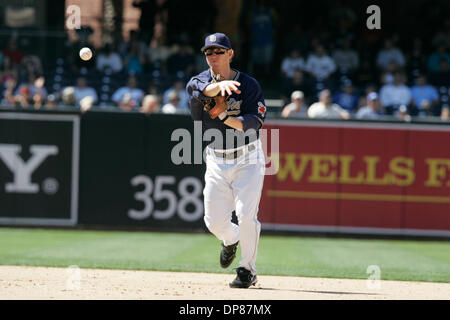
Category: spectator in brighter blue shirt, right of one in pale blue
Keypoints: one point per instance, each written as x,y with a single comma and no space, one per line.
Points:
425,97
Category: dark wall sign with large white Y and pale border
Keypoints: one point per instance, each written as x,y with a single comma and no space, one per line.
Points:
39,169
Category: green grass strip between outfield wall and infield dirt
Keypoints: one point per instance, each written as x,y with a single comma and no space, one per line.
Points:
293,256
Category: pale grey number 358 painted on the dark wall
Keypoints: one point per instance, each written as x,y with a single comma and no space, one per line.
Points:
189,191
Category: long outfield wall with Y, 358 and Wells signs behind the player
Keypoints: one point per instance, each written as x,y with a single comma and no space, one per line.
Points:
114,169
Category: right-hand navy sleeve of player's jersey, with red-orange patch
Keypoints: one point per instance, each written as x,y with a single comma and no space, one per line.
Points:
254,106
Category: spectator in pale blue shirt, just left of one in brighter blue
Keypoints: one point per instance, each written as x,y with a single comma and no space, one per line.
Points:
394,95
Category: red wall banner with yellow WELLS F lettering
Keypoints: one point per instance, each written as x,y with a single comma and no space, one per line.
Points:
359,177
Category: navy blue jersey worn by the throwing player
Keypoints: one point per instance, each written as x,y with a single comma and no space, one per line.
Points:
248,106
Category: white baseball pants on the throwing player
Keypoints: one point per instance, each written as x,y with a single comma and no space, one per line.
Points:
235,184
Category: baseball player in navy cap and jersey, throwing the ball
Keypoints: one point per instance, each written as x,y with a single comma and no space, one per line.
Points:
232,103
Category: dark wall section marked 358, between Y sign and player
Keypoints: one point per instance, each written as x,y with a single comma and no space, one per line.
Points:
128,177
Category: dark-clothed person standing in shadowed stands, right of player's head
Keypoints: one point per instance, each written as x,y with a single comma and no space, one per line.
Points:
262,23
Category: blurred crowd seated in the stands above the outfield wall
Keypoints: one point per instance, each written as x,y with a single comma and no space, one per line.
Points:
318,77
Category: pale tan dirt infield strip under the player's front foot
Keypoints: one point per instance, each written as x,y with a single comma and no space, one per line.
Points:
61,283
